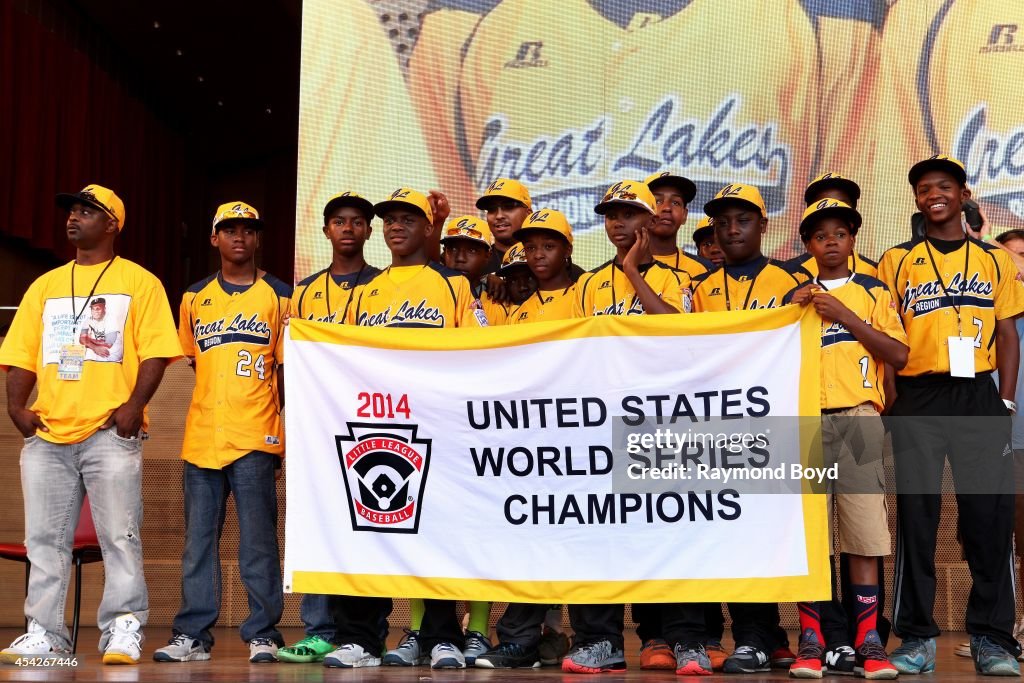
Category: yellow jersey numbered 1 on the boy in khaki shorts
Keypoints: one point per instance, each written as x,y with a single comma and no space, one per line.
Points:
850,375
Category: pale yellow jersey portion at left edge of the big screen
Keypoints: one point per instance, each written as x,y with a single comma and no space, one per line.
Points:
333,107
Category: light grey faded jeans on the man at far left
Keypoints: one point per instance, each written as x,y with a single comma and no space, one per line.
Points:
55,478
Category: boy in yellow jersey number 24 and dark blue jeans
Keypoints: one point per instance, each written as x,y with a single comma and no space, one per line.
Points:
231,328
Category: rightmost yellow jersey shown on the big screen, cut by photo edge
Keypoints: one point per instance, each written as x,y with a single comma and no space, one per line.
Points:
946,87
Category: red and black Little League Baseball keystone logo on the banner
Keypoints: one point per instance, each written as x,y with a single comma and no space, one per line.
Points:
386,471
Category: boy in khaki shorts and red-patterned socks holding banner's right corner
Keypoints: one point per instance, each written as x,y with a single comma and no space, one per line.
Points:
861,331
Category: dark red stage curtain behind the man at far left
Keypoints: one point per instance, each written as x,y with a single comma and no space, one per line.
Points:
65,123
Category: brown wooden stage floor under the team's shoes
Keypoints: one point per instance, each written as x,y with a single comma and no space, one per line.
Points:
231,663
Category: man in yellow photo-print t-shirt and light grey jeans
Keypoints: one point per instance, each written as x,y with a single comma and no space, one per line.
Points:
84,434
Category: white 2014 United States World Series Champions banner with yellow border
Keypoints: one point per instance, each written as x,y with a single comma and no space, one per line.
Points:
602,460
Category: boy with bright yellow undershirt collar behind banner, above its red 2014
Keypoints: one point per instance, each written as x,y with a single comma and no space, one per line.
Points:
413,292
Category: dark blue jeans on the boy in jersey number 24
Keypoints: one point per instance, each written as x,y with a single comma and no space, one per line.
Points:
250,480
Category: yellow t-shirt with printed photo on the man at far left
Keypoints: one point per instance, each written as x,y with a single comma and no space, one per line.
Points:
135,325
